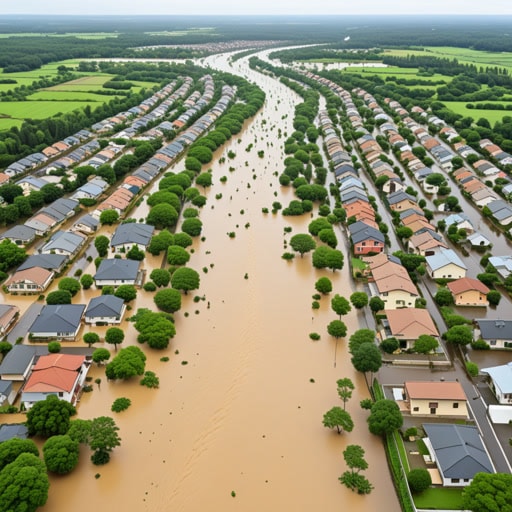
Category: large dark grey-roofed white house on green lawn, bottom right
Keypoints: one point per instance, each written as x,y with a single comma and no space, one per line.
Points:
458,451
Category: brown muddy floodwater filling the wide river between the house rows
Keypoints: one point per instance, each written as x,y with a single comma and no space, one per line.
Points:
237,421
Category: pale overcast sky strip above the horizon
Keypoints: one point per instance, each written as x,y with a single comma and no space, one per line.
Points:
321,7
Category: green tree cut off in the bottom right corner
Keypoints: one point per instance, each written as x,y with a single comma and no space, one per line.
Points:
488,492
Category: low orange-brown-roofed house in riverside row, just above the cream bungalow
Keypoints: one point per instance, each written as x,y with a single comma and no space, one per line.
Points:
408,324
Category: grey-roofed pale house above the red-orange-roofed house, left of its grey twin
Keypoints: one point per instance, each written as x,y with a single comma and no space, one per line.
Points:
60,321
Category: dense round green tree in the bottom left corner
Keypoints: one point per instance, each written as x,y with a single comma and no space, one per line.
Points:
24,484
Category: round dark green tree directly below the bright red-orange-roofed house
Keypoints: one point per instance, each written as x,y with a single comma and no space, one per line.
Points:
49,417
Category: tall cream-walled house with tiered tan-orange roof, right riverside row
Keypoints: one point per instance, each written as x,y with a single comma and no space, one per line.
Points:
391,282
